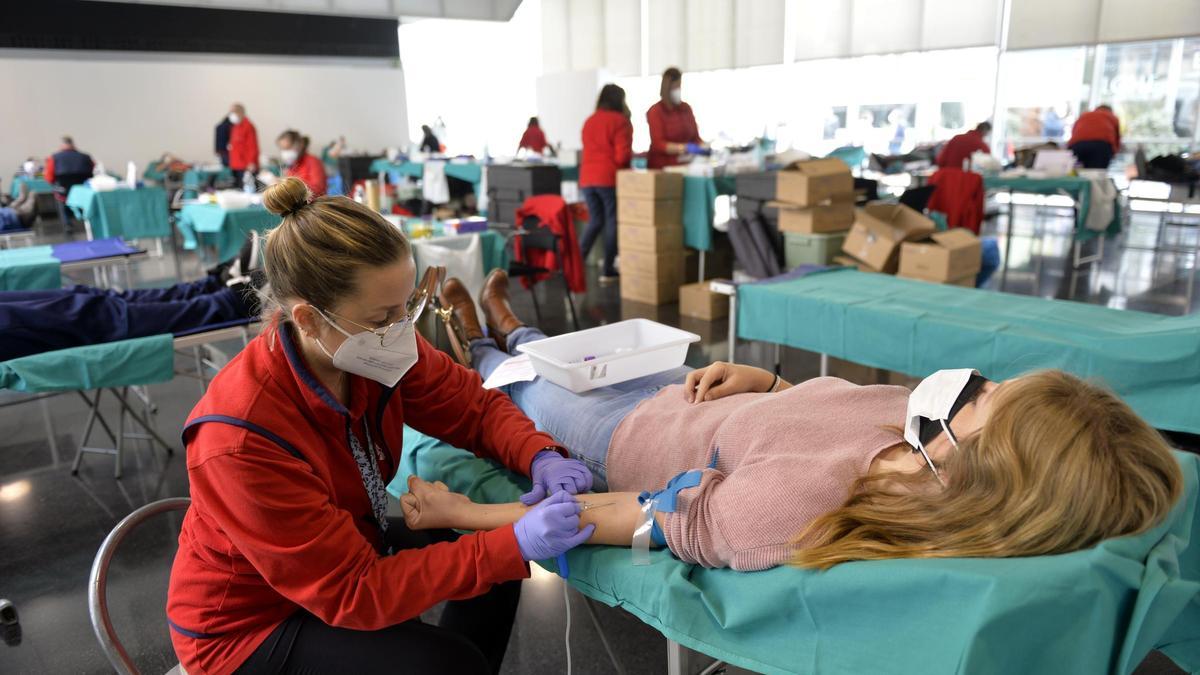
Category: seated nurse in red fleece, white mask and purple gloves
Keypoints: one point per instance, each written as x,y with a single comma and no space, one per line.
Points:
287,559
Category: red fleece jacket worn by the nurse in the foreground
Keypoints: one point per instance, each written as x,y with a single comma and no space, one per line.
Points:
271,534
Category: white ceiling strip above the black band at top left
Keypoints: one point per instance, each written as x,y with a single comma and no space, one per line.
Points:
477,10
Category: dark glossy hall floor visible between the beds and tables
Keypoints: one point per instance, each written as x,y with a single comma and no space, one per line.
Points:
52,523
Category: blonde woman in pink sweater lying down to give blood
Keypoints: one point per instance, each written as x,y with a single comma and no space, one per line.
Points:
759,473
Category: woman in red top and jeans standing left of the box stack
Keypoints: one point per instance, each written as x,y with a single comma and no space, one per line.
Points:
608,148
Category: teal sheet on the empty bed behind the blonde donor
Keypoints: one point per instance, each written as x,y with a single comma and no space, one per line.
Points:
915,328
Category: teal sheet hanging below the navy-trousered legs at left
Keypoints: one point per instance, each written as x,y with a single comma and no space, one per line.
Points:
125,363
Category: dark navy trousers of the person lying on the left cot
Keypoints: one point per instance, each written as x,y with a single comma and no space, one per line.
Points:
33,322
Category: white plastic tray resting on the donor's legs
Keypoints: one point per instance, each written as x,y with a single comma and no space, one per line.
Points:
609,355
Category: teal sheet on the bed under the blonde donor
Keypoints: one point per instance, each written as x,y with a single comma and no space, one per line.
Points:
1097,611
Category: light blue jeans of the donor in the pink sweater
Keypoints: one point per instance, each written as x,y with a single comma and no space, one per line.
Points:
583,423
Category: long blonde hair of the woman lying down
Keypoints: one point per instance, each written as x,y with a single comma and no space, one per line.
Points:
1058,467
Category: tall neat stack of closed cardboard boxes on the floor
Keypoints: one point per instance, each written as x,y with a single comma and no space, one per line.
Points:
650,236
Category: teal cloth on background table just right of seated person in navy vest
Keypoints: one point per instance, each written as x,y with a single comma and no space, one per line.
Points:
133,214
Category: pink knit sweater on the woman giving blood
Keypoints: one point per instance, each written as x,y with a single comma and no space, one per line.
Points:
782,461
